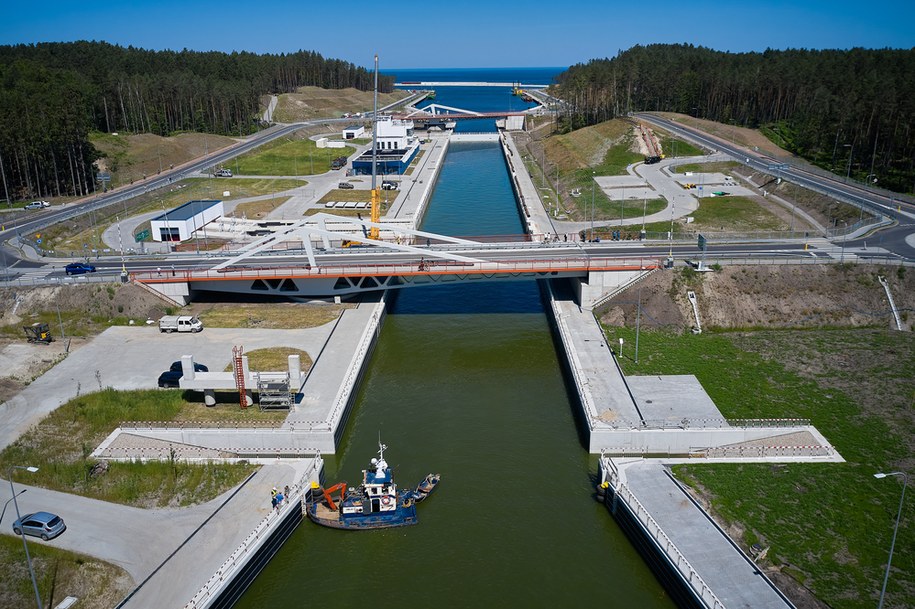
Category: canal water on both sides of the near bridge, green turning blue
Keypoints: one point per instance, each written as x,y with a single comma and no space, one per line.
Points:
465,381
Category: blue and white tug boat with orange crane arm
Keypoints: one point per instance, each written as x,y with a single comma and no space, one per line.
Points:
375,504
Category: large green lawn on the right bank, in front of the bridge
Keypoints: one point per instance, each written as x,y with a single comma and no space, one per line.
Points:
826,524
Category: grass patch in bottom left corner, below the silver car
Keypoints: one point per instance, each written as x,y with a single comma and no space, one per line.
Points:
59,574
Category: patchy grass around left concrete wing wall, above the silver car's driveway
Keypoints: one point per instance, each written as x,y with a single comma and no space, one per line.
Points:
63,441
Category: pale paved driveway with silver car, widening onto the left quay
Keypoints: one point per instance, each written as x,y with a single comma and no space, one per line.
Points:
177,549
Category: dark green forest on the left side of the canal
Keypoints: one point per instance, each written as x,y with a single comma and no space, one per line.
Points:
52,95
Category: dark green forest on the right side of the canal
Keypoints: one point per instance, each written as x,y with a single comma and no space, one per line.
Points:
849,111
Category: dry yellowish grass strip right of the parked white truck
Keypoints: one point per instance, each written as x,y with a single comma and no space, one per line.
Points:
278,315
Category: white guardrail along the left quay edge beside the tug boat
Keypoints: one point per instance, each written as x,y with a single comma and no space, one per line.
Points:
243,552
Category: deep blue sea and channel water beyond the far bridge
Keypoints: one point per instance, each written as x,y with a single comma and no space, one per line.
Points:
480,99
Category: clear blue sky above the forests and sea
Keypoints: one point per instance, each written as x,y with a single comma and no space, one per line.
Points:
471,33
